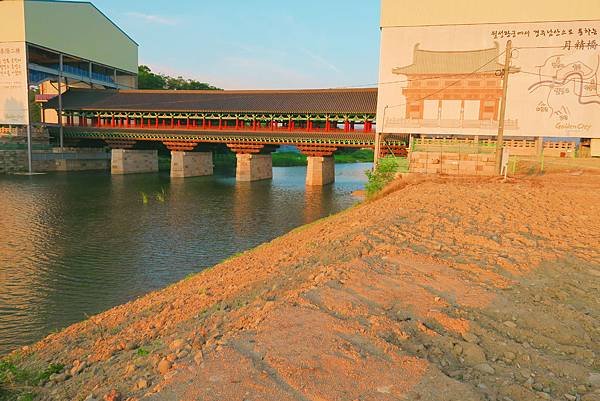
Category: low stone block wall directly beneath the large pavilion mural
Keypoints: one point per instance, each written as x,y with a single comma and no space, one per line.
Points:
452,163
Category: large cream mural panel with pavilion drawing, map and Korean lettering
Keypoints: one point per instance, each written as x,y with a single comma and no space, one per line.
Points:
448,79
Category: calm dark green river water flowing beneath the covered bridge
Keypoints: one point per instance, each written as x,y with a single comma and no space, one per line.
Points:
77,244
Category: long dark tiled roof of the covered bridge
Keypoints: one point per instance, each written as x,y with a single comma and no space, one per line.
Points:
255,101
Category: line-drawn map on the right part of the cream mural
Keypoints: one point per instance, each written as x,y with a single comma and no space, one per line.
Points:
563,82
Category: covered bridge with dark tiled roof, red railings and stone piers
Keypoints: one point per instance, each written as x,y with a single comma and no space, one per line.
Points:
250,123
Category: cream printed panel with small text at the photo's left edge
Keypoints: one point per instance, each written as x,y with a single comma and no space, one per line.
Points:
13,84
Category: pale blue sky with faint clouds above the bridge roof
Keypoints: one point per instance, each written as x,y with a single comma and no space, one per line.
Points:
261,44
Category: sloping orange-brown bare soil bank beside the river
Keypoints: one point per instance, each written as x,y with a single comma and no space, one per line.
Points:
443,289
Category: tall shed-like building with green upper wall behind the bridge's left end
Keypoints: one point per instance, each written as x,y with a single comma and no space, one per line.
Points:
55,45
